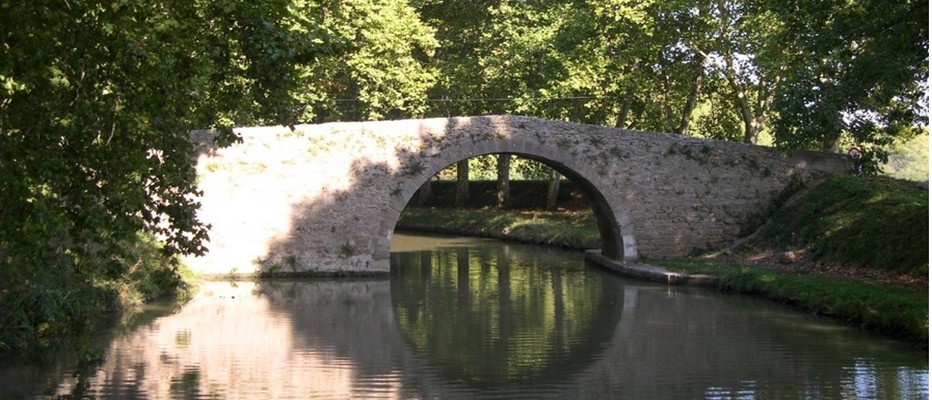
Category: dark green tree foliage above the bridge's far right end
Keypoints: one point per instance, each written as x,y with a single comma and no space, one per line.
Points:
858,72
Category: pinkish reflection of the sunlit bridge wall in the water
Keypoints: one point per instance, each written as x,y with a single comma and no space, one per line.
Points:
236,340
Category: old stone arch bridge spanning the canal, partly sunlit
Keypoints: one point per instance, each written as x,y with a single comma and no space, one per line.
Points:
324,199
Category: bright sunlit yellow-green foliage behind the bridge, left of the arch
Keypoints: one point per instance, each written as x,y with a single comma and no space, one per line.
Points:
383,70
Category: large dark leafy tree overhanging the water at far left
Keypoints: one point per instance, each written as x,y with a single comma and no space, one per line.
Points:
96,102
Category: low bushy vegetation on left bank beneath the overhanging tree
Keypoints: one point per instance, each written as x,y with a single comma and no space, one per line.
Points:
65,307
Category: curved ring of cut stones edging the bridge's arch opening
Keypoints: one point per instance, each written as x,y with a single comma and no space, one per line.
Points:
611,215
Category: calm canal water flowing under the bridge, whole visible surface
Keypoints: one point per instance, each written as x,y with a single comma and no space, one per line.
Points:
473,318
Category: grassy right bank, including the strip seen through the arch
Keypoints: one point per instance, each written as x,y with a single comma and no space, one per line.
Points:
852,249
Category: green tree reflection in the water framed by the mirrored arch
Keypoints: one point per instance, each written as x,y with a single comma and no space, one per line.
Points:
497,314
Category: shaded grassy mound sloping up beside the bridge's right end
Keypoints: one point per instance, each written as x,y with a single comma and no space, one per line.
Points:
872,222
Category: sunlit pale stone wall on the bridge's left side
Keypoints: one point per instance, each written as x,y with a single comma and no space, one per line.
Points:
266,183
